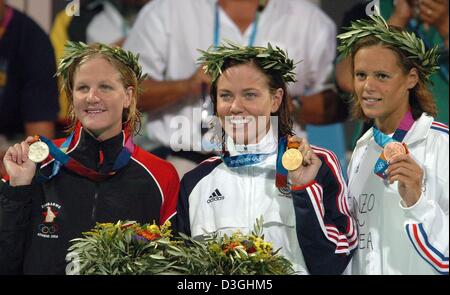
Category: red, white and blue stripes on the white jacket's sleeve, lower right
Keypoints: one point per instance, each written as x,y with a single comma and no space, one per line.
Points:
419,239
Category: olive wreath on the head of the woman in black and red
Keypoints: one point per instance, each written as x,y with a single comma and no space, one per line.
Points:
75,50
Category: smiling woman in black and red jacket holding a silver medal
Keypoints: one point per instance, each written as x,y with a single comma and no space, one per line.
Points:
56,190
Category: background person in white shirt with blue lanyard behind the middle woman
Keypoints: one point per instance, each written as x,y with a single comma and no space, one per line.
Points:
167,35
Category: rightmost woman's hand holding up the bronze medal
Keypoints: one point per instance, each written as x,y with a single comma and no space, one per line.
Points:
409,174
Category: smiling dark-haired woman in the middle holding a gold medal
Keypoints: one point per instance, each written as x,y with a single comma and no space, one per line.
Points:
304,210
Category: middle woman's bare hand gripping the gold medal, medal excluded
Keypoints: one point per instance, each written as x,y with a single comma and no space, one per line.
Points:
307,172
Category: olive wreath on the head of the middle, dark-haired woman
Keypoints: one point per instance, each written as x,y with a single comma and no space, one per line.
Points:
269,58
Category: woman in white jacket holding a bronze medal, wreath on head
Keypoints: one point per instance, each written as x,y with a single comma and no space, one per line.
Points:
398,174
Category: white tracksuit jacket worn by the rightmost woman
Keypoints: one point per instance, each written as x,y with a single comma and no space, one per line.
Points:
394,239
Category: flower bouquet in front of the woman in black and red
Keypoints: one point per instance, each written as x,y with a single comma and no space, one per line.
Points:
122,248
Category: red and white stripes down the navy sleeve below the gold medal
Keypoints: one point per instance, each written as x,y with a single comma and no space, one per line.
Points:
341,199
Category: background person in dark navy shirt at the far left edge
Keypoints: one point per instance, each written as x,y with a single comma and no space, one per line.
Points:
28,89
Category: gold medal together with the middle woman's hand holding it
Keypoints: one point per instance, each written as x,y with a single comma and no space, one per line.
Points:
301,161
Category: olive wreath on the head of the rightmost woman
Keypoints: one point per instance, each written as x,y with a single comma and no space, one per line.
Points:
409,43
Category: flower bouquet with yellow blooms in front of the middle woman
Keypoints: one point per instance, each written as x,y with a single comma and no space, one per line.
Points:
235,254
